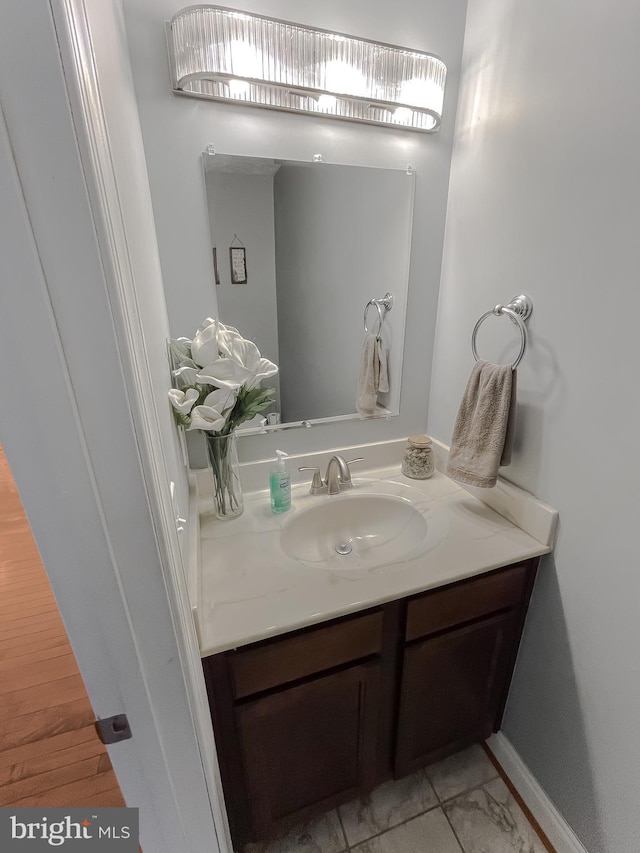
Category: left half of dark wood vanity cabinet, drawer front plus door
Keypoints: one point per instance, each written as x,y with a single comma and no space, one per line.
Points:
296,720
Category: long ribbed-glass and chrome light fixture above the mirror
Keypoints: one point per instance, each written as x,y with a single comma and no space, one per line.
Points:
227,55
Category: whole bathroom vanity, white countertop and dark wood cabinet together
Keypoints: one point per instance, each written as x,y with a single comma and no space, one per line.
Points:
325,681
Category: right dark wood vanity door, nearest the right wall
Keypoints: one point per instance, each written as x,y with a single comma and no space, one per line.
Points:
452,686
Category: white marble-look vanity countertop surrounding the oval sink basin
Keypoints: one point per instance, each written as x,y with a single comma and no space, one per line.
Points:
248,589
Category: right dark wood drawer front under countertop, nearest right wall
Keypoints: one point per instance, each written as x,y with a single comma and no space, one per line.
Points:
444,608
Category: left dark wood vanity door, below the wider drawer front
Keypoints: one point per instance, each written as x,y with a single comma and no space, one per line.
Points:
310,746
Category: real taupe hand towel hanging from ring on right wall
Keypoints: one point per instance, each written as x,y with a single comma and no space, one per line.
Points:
483,433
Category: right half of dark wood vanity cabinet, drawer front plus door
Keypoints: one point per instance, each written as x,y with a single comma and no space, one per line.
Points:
460,648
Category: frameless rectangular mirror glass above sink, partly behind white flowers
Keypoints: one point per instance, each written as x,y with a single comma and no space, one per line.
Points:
299,249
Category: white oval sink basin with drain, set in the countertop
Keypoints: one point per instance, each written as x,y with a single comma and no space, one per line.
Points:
349,532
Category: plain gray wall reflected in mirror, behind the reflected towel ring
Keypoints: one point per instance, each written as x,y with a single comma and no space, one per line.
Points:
343,232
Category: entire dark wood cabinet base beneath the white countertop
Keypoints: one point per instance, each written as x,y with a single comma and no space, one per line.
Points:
315,718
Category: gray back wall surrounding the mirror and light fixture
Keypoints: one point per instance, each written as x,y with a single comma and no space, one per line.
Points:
176,130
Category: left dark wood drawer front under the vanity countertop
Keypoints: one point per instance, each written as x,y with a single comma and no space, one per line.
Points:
279,661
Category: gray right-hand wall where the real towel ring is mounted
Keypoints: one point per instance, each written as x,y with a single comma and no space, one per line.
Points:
544,199
